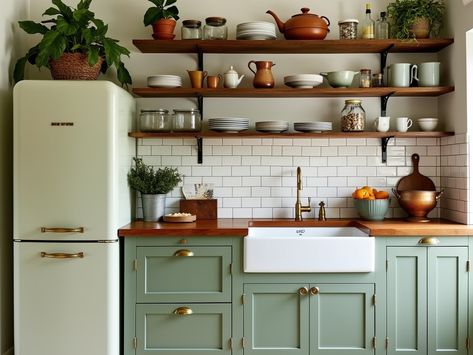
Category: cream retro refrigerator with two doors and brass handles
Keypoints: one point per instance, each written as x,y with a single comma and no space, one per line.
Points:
72,154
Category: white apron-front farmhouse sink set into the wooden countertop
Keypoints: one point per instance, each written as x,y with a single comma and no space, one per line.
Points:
308,249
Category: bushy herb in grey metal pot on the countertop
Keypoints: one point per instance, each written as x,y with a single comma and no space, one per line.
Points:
153,186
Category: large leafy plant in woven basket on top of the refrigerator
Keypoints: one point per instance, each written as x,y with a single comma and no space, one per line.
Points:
74,45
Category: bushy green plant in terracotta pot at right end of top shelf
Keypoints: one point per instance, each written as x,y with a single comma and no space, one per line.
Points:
415,19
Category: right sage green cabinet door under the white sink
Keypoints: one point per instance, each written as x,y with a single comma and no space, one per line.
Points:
342,319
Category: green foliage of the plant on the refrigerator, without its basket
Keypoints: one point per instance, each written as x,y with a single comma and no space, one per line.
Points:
72,31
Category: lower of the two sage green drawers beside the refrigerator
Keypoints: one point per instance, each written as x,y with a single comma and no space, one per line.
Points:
159,330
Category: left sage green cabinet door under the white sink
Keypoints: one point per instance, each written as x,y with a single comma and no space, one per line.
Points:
276,319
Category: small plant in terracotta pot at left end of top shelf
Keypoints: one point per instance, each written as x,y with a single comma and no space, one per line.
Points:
162,17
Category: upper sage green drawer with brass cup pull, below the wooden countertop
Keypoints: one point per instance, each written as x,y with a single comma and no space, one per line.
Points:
184,274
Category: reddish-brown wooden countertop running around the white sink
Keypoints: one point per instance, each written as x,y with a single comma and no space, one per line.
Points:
238,227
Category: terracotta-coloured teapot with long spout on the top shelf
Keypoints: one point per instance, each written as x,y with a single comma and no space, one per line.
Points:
303,26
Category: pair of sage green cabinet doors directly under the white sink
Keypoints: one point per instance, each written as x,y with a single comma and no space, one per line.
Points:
293,319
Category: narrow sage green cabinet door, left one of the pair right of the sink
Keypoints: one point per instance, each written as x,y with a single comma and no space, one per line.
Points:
406,300
